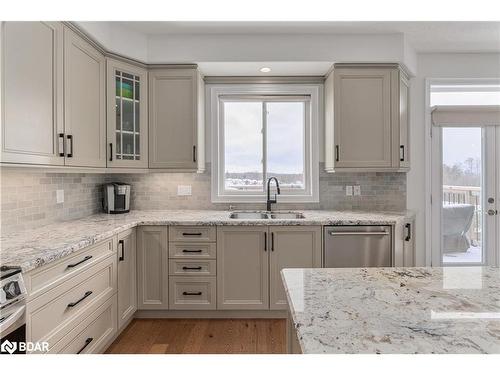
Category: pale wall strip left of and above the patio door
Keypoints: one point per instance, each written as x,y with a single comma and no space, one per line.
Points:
452,65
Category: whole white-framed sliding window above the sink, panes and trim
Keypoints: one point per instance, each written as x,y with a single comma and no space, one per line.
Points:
261,131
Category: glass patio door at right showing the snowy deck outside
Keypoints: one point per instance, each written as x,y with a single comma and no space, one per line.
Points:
466,188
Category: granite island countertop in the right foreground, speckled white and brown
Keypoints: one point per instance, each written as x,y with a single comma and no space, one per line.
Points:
395,310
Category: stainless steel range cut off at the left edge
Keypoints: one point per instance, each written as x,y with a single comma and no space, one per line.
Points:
12,309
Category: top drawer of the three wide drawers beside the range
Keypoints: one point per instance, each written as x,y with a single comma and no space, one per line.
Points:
47,277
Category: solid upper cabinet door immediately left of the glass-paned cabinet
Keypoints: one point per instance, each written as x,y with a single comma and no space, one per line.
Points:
84,103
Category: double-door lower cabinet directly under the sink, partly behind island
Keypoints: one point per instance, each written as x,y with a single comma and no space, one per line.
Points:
250,260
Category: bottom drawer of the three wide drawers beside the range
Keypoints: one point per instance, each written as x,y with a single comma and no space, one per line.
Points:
93,333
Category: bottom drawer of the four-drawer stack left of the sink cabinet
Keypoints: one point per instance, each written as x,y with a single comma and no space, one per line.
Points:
192,293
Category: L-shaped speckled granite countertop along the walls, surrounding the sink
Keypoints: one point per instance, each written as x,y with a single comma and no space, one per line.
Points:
34,248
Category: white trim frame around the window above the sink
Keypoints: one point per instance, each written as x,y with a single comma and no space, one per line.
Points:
311,150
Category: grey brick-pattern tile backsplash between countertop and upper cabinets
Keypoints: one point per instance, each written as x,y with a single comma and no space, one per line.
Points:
28,198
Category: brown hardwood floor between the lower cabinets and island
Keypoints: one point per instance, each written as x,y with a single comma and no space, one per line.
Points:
207,336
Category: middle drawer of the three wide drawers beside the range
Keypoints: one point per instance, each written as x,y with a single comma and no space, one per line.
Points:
52,315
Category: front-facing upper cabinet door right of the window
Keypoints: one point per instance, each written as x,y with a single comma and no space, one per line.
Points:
362,129
